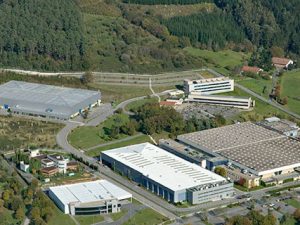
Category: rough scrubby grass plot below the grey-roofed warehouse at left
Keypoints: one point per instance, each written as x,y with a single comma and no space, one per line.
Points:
17,132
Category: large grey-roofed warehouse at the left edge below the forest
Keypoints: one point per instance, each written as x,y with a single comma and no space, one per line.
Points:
46,100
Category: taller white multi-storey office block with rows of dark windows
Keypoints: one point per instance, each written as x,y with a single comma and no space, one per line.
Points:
209,86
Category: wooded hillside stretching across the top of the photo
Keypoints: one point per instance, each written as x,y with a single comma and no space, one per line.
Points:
141,35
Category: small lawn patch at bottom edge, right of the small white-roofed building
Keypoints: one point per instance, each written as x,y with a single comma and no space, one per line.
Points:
146,217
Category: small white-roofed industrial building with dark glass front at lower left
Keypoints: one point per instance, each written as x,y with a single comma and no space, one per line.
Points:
94,197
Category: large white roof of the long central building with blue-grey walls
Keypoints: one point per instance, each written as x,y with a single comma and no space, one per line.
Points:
163,167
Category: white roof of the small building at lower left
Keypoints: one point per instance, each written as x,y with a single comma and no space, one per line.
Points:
89,192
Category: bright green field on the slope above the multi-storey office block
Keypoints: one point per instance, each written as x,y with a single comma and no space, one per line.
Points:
223,61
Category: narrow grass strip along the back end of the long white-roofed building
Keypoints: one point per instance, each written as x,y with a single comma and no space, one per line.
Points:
137,140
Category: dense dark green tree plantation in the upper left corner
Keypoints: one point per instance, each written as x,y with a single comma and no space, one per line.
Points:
44,34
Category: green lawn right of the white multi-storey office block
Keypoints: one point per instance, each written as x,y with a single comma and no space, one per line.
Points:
259,86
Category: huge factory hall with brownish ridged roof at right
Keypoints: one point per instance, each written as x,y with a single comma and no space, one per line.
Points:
249,146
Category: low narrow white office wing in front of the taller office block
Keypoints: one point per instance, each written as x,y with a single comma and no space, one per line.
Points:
229,101
